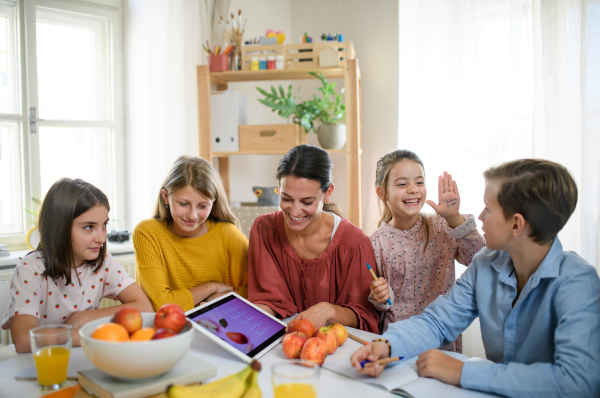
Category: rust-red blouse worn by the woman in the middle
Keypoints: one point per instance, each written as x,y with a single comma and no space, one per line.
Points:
280,279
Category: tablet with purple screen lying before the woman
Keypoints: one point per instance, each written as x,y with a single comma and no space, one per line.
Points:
240,325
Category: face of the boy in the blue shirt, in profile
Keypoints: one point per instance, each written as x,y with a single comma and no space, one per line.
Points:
497,229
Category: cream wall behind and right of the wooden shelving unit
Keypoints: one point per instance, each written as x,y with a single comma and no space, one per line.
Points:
373,28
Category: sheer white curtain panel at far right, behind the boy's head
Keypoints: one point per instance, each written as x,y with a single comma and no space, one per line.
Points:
567,108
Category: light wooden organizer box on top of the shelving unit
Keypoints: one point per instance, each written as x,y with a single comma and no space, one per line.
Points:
297,56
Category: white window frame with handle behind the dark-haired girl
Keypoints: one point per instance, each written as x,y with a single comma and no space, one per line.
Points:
110,10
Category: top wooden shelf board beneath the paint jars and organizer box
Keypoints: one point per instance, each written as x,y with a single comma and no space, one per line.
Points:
274,74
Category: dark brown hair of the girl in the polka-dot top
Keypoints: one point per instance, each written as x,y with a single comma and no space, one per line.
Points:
66,200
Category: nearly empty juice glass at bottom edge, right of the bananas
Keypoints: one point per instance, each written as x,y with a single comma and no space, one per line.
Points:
295,379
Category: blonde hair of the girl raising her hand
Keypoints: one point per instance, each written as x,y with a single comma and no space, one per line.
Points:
384,165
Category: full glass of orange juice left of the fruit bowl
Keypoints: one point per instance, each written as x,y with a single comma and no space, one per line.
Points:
51,347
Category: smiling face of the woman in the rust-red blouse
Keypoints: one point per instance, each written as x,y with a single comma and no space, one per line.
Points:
301,201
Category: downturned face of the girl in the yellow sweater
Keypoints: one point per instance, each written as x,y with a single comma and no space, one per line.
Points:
189,209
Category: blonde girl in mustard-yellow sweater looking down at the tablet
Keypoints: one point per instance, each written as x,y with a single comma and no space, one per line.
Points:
190,251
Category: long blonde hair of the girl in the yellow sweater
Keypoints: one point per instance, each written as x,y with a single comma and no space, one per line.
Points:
200,175
